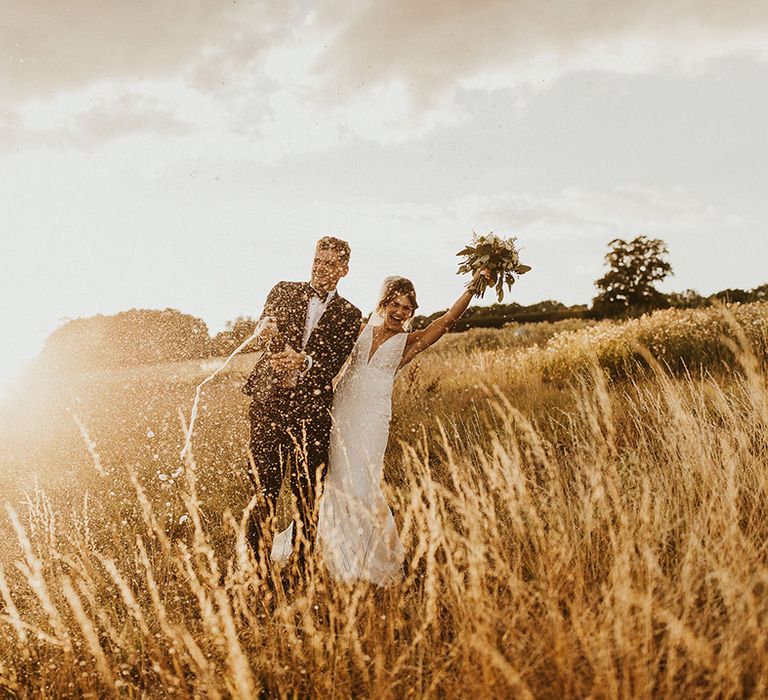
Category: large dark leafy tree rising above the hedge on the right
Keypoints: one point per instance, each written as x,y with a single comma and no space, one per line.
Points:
628,287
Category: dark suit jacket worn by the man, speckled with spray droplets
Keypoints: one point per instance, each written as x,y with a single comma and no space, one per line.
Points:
329,345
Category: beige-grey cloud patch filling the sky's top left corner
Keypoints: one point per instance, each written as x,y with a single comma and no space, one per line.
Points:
51,45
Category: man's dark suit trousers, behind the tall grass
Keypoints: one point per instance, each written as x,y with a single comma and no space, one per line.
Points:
293,445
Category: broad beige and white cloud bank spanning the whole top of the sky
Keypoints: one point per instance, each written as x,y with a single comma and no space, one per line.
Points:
270,79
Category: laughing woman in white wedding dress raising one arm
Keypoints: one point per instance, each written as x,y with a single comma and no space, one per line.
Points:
356,532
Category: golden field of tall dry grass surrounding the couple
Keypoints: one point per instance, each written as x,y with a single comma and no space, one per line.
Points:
580,519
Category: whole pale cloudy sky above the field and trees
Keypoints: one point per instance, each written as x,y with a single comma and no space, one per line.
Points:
188,153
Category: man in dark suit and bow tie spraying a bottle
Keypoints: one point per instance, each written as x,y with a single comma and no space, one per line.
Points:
313,330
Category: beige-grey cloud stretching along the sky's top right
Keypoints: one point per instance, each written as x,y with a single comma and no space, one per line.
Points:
434,44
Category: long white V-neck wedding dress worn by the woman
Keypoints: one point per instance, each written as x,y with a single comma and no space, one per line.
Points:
356,534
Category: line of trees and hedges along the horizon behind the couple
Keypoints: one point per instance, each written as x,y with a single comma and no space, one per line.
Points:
143,336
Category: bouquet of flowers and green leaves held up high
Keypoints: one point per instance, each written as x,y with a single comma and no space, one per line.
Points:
497,255
